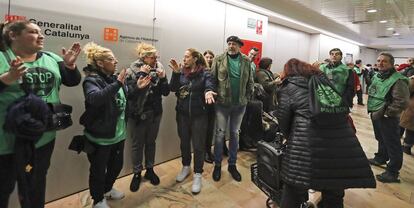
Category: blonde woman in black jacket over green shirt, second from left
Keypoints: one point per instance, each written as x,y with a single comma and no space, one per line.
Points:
104,121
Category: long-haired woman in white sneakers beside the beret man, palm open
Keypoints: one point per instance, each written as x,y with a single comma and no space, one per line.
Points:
193,86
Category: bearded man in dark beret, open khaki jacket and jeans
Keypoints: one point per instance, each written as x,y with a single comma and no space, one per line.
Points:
234,84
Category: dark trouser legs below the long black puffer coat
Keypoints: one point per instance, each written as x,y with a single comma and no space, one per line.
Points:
293,197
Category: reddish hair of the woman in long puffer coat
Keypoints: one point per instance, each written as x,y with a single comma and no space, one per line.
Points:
296,67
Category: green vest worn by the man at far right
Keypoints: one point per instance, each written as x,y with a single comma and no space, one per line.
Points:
379,88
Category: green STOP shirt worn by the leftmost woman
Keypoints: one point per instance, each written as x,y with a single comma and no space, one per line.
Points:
43,78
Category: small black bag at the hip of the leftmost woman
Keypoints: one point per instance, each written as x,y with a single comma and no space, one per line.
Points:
61,116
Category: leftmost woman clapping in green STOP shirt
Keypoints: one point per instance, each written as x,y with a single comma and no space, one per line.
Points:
23,65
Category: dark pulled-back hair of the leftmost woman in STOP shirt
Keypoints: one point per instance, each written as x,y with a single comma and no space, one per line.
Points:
7,27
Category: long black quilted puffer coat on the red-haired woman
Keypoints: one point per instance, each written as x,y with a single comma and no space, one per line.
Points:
320,154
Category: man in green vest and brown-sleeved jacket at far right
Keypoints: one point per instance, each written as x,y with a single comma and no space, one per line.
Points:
388,96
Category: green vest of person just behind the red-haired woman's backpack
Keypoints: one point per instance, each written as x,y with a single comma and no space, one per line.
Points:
338,76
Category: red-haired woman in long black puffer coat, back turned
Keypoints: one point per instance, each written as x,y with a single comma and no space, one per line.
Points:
321,154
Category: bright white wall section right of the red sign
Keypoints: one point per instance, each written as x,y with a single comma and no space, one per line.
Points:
283,43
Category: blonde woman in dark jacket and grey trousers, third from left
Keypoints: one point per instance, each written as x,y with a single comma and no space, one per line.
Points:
145,111
